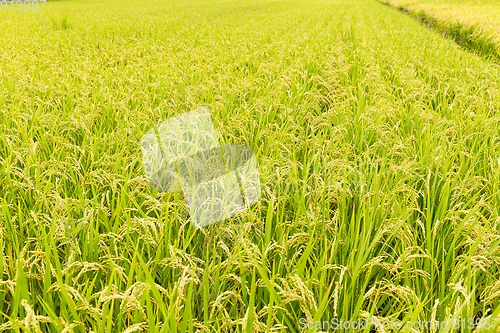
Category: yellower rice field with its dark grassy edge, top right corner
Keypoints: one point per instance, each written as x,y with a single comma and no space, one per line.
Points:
473,24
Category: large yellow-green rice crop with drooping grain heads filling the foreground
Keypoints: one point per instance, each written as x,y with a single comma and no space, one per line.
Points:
378,142
